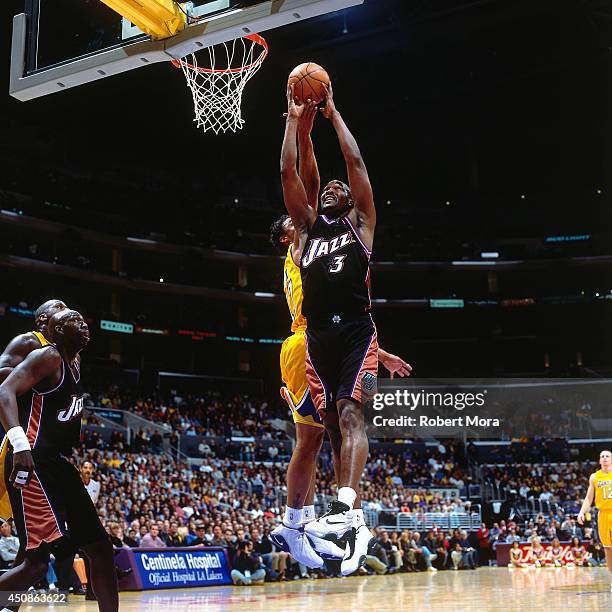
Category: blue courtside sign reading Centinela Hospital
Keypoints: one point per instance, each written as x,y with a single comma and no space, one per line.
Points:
167,569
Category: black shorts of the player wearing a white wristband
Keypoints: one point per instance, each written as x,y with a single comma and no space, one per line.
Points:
54,508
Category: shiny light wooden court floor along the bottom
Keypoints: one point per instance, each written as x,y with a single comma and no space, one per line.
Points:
583,589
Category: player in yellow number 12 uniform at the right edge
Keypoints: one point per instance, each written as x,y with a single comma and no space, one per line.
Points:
600,490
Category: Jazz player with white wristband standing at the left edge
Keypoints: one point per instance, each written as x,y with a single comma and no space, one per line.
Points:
40,407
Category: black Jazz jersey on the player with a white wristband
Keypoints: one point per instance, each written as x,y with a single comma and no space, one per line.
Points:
52,419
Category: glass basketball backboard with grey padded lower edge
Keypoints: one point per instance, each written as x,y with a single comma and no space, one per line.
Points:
58,44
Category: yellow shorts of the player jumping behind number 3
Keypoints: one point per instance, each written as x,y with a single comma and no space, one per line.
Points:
293,372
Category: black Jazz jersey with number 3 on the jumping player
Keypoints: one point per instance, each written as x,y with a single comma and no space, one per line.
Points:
335,271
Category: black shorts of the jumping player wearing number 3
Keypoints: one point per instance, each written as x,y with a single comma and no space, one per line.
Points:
342,361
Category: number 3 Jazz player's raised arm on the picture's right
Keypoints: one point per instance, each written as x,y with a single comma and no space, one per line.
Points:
359,181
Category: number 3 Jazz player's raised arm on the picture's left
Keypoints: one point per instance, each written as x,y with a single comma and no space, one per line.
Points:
294,193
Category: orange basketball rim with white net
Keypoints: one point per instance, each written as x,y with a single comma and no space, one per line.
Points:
217,86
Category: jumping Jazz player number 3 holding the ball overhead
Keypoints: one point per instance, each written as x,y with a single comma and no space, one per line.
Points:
336,243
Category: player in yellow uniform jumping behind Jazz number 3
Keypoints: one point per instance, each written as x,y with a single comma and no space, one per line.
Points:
309,429
